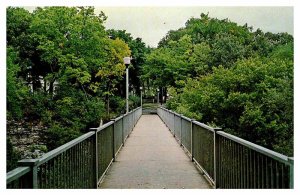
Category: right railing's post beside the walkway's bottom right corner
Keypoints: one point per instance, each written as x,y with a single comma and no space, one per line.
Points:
216,157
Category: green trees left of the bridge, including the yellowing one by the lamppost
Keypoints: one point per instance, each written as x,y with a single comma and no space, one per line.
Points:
64,70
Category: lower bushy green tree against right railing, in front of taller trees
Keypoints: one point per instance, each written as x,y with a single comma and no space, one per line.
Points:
253,99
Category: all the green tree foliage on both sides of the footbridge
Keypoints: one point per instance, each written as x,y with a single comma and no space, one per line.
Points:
66,71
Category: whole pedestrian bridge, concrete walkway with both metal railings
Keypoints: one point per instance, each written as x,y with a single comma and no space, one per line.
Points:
162,151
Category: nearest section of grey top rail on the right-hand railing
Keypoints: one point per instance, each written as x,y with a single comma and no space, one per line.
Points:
258,148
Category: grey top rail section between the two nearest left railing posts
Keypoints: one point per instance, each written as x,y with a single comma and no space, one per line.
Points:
61,149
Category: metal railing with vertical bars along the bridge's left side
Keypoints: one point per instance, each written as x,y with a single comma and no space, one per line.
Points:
80,163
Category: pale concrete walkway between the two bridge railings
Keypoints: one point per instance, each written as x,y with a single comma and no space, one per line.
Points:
151,158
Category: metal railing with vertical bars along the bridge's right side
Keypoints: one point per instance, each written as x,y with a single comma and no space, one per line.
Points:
229,161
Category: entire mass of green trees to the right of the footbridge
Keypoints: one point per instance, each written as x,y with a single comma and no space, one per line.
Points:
226,75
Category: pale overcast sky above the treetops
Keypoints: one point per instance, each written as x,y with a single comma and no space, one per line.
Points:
152,23
